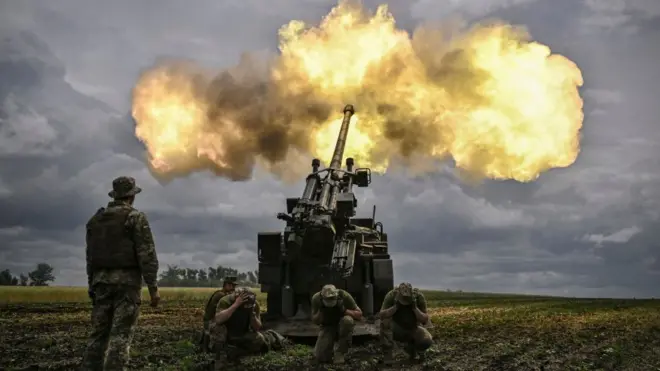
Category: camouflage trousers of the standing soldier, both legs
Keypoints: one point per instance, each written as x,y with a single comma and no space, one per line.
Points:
114,316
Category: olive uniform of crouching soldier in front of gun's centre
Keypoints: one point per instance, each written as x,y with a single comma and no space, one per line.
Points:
335,326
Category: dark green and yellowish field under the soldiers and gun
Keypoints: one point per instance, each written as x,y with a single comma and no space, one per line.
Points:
46,328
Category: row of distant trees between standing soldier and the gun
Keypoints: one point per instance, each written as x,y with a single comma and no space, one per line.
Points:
174,276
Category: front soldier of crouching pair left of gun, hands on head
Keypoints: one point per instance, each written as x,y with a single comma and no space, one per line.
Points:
237,324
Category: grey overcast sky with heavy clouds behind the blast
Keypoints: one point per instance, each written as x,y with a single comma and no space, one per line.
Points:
67,68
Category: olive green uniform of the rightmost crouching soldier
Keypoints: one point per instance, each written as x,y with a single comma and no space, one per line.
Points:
403,325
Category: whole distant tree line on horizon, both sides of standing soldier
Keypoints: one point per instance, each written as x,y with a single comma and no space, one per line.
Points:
172,276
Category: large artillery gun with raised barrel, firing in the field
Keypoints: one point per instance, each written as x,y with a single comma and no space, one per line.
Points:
324,243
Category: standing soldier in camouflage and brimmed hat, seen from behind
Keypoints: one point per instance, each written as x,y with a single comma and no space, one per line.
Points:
120,253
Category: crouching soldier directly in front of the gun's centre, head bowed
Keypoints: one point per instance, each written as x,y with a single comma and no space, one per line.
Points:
335,311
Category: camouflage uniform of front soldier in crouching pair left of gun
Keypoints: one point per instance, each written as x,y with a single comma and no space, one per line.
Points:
237,331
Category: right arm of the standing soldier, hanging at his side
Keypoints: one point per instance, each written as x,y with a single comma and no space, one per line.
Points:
145,249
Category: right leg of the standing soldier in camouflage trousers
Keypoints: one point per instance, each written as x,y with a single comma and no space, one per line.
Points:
126,311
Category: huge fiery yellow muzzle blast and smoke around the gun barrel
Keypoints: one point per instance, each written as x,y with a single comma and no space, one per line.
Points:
500,105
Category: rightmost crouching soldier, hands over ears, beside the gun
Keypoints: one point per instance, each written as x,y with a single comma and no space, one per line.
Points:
402,313
